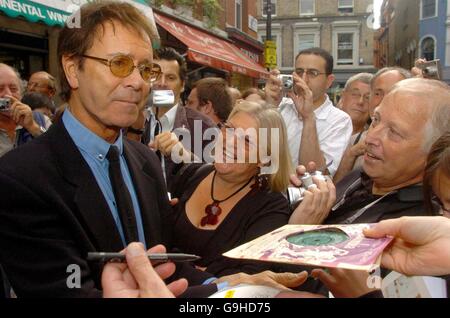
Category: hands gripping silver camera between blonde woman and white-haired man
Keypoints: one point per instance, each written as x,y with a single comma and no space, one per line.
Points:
317,202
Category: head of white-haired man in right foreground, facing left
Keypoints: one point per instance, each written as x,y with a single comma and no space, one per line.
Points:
404,126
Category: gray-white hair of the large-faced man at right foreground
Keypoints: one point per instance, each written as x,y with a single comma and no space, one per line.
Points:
437,94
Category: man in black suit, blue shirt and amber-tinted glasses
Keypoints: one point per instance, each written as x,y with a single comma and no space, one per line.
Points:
59,200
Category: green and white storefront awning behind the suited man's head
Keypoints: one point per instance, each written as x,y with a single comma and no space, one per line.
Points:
53,12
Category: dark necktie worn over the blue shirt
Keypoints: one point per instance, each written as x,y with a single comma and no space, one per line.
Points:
122,196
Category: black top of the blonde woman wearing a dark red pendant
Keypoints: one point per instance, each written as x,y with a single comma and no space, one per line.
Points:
256,214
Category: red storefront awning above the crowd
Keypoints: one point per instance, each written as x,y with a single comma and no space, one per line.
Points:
206,49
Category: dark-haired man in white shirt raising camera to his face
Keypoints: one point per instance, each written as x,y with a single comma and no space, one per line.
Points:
317,131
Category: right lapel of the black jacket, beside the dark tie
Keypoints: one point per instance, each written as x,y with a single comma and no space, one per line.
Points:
145,187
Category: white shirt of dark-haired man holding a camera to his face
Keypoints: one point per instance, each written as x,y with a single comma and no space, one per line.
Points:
334,130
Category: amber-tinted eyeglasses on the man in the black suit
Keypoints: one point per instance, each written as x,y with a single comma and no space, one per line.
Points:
123,65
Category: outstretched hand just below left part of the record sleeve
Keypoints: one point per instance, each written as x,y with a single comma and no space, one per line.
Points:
281,281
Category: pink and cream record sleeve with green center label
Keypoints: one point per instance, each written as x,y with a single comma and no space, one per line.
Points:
333,246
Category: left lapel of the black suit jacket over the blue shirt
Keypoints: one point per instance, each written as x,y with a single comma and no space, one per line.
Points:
93,209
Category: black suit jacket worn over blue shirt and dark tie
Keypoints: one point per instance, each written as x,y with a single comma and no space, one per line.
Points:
52,213
